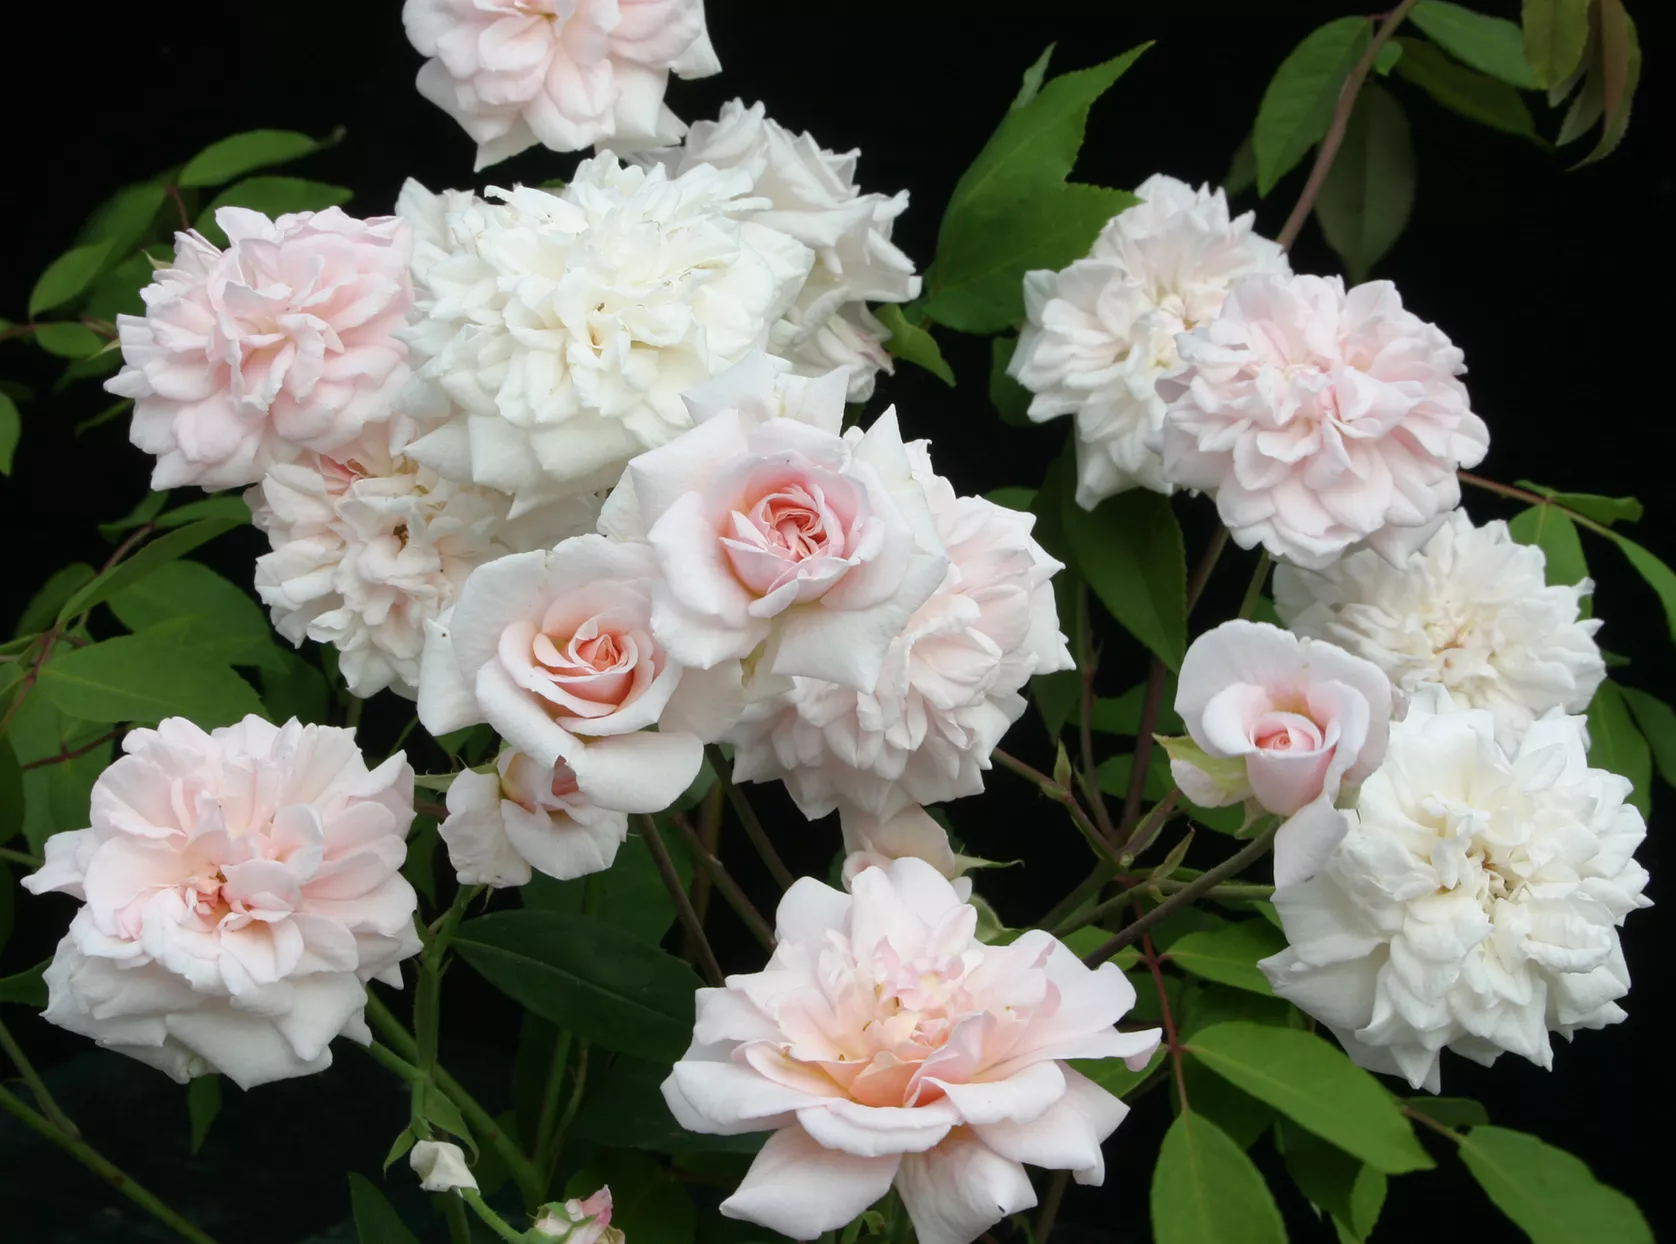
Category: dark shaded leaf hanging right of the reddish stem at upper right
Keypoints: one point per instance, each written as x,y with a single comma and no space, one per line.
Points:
1370,194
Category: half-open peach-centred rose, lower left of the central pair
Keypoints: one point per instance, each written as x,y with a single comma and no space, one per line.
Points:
556,651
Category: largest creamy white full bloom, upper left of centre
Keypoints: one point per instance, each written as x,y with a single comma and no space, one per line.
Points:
557,331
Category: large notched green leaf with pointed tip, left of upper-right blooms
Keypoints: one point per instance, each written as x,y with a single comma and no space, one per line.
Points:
1013,210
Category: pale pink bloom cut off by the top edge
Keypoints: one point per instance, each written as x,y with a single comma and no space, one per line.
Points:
567,75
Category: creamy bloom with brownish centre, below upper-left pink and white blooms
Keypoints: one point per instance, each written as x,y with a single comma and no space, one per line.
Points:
370,546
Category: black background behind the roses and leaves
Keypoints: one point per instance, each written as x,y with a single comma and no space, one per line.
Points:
1554,284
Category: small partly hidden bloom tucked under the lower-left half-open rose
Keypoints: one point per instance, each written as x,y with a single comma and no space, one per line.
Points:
500,826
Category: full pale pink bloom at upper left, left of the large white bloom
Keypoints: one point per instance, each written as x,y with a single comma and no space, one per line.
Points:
277,345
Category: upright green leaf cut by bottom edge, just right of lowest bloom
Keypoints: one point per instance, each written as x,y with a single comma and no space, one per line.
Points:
1206,1191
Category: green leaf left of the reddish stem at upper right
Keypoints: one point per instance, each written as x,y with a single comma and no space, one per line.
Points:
1298,106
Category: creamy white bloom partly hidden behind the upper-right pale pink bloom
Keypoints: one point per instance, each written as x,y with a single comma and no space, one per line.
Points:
1099,334
